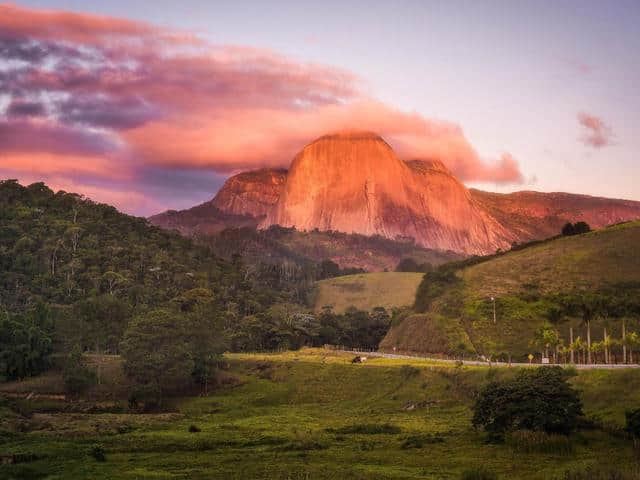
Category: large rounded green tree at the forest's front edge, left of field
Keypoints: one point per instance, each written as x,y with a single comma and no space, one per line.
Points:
156,352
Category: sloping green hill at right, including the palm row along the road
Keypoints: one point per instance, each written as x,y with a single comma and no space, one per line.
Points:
569,299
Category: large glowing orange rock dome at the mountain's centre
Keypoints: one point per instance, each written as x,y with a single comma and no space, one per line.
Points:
353,182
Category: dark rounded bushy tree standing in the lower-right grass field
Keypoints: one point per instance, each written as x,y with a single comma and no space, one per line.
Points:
540,399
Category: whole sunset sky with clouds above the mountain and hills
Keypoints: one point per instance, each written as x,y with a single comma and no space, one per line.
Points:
152,105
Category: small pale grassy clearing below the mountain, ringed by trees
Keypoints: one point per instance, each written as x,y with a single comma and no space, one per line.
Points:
367,291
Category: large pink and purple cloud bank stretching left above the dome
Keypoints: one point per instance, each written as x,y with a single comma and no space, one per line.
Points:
130,96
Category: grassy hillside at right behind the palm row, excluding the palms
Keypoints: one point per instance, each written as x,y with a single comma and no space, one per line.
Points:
457,316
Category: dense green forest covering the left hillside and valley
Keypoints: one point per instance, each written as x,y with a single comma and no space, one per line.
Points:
78,273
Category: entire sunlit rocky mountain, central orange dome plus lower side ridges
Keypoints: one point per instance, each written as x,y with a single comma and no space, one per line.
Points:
353,182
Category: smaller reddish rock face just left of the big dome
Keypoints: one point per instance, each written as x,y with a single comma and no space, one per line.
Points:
251,193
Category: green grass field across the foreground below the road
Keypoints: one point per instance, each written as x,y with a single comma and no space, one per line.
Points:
311,415
